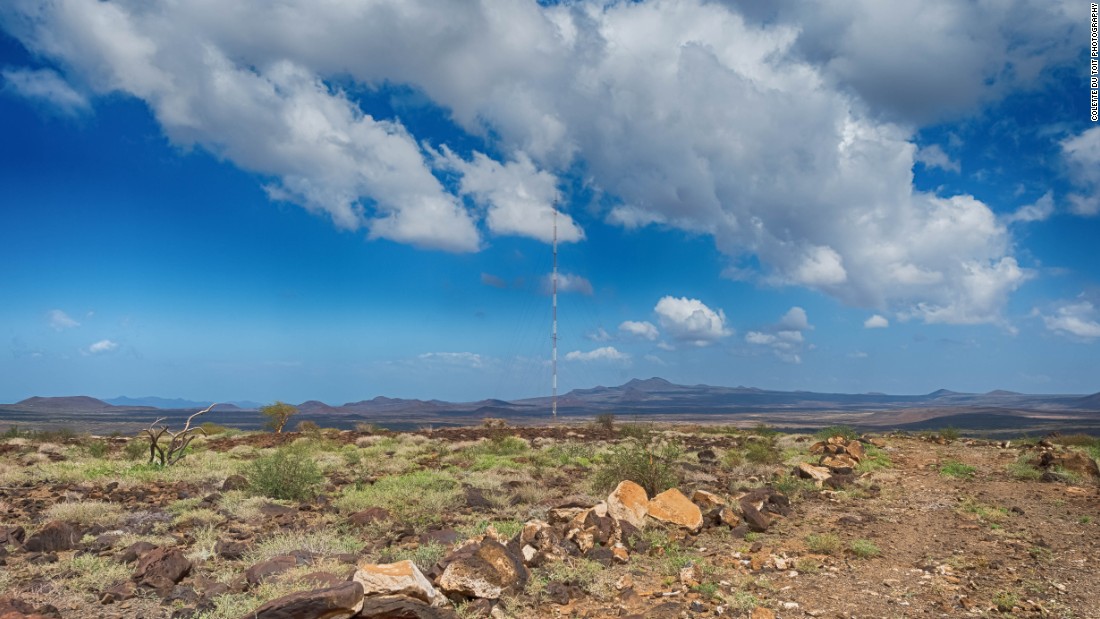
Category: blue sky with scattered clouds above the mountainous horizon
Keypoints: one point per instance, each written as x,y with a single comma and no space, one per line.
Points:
338,202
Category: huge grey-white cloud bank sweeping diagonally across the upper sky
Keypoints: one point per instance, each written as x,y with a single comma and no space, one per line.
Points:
687,115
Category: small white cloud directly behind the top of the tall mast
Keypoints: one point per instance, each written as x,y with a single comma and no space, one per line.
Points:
520,198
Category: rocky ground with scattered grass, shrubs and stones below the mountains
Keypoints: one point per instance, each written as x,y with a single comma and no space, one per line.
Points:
547,523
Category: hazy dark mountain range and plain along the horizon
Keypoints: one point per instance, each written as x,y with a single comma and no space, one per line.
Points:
652,399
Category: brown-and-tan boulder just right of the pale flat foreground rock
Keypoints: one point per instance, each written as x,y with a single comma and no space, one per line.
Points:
488,573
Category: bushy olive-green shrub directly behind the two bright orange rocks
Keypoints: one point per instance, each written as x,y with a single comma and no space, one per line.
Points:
651,466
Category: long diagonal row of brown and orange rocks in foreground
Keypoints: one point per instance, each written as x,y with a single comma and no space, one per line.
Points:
482,570
